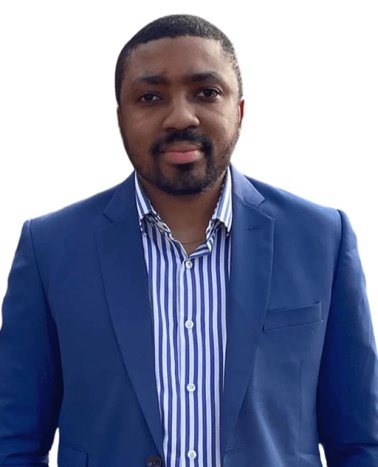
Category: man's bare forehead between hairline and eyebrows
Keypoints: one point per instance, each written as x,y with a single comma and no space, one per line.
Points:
179,57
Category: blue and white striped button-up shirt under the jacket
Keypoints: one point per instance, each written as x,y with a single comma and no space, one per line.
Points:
188,300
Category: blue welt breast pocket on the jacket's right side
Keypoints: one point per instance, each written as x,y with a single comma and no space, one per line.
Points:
297,316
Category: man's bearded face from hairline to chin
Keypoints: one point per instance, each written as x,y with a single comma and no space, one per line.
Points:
180,113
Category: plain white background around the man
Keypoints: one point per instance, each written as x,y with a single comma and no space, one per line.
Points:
310,73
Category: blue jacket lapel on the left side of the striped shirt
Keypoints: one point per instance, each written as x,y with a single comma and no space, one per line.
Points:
125,278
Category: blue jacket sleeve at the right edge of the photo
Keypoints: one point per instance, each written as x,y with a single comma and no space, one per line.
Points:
348,379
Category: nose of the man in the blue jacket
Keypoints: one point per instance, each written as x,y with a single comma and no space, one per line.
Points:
180,115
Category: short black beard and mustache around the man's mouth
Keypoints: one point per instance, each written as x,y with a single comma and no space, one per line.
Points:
184,179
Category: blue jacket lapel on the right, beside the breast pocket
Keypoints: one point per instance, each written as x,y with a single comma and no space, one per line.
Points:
251,266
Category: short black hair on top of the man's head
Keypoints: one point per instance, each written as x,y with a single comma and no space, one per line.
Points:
175,26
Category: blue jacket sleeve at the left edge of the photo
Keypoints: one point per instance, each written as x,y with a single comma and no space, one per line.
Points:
30,369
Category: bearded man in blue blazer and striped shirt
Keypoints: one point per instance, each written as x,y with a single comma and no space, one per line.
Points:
189,316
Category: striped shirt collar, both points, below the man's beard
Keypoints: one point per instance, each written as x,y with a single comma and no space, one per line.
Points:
222,212
